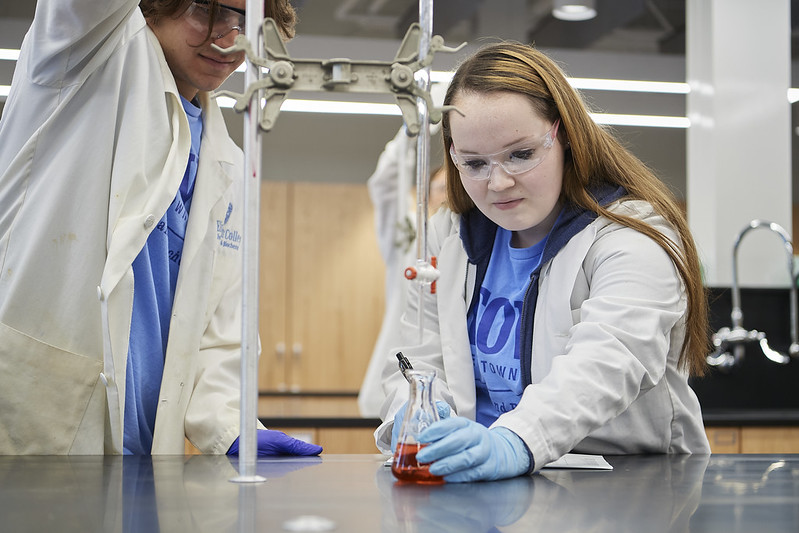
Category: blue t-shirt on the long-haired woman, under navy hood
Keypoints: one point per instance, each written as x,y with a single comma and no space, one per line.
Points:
494,326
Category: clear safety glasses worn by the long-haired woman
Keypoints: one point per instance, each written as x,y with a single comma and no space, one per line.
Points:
515,160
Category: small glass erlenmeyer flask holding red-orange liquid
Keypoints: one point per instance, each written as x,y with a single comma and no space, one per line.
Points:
420,413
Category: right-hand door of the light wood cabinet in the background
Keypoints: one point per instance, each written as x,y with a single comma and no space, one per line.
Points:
336,279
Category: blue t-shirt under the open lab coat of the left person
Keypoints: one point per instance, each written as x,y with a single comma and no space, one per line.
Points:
155,274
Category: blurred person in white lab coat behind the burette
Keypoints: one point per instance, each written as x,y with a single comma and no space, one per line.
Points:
395,238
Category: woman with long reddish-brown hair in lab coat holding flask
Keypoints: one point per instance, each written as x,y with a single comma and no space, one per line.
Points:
570,310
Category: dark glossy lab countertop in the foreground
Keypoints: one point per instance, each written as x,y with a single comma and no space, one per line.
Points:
354,493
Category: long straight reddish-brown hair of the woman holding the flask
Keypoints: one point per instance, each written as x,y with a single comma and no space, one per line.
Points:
595,157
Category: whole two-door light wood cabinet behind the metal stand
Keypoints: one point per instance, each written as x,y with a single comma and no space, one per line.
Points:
321,286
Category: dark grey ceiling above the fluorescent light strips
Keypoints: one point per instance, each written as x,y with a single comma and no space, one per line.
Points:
648,26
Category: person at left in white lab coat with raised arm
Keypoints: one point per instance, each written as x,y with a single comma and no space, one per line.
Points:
120,232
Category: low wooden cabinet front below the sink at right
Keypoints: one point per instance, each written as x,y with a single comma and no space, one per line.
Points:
753,439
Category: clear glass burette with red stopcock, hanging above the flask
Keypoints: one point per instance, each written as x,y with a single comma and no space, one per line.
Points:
423,152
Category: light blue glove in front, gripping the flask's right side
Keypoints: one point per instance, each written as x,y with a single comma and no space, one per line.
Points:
463,450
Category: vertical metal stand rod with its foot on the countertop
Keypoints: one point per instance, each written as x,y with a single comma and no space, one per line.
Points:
251,199
